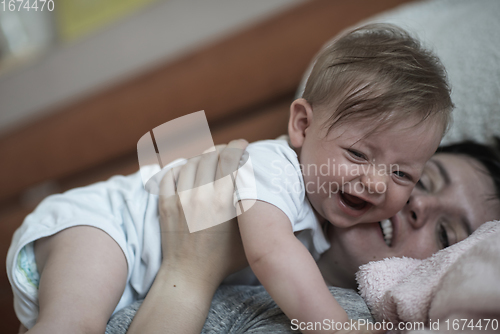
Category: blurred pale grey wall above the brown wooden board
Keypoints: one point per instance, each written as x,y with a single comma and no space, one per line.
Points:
52,57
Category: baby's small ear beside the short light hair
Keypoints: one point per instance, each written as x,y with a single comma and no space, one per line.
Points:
300,120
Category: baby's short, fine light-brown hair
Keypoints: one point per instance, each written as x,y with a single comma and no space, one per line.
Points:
379,72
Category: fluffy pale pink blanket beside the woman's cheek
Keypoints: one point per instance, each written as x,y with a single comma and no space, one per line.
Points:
459,282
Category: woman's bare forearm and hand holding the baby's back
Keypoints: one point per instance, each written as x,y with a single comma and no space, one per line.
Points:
194,264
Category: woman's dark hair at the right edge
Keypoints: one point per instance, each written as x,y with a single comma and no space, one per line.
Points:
488,156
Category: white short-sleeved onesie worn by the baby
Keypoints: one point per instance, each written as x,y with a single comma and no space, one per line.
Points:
123,209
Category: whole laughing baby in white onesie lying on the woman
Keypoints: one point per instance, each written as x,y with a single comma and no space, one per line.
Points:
373,112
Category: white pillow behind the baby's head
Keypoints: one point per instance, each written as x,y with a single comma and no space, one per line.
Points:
466,37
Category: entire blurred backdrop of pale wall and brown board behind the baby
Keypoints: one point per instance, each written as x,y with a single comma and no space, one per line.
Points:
82,82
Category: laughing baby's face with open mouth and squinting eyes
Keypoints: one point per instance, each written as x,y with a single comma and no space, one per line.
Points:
357,173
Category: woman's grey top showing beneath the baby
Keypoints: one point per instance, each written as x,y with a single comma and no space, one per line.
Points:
247,309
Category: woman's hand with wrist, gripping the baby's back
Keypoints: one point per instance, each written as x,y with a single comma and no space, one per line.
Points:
211,254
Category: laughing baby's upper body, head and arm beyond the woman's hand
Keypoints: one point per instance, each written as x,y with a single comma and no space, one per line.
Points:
374,110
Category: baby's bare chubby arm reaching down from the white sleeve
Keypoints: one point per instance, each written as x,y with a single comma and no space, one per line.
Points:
285,267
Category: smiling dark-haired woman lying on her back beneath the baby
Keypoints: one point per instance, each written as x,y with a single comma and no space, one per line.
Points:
454,197
